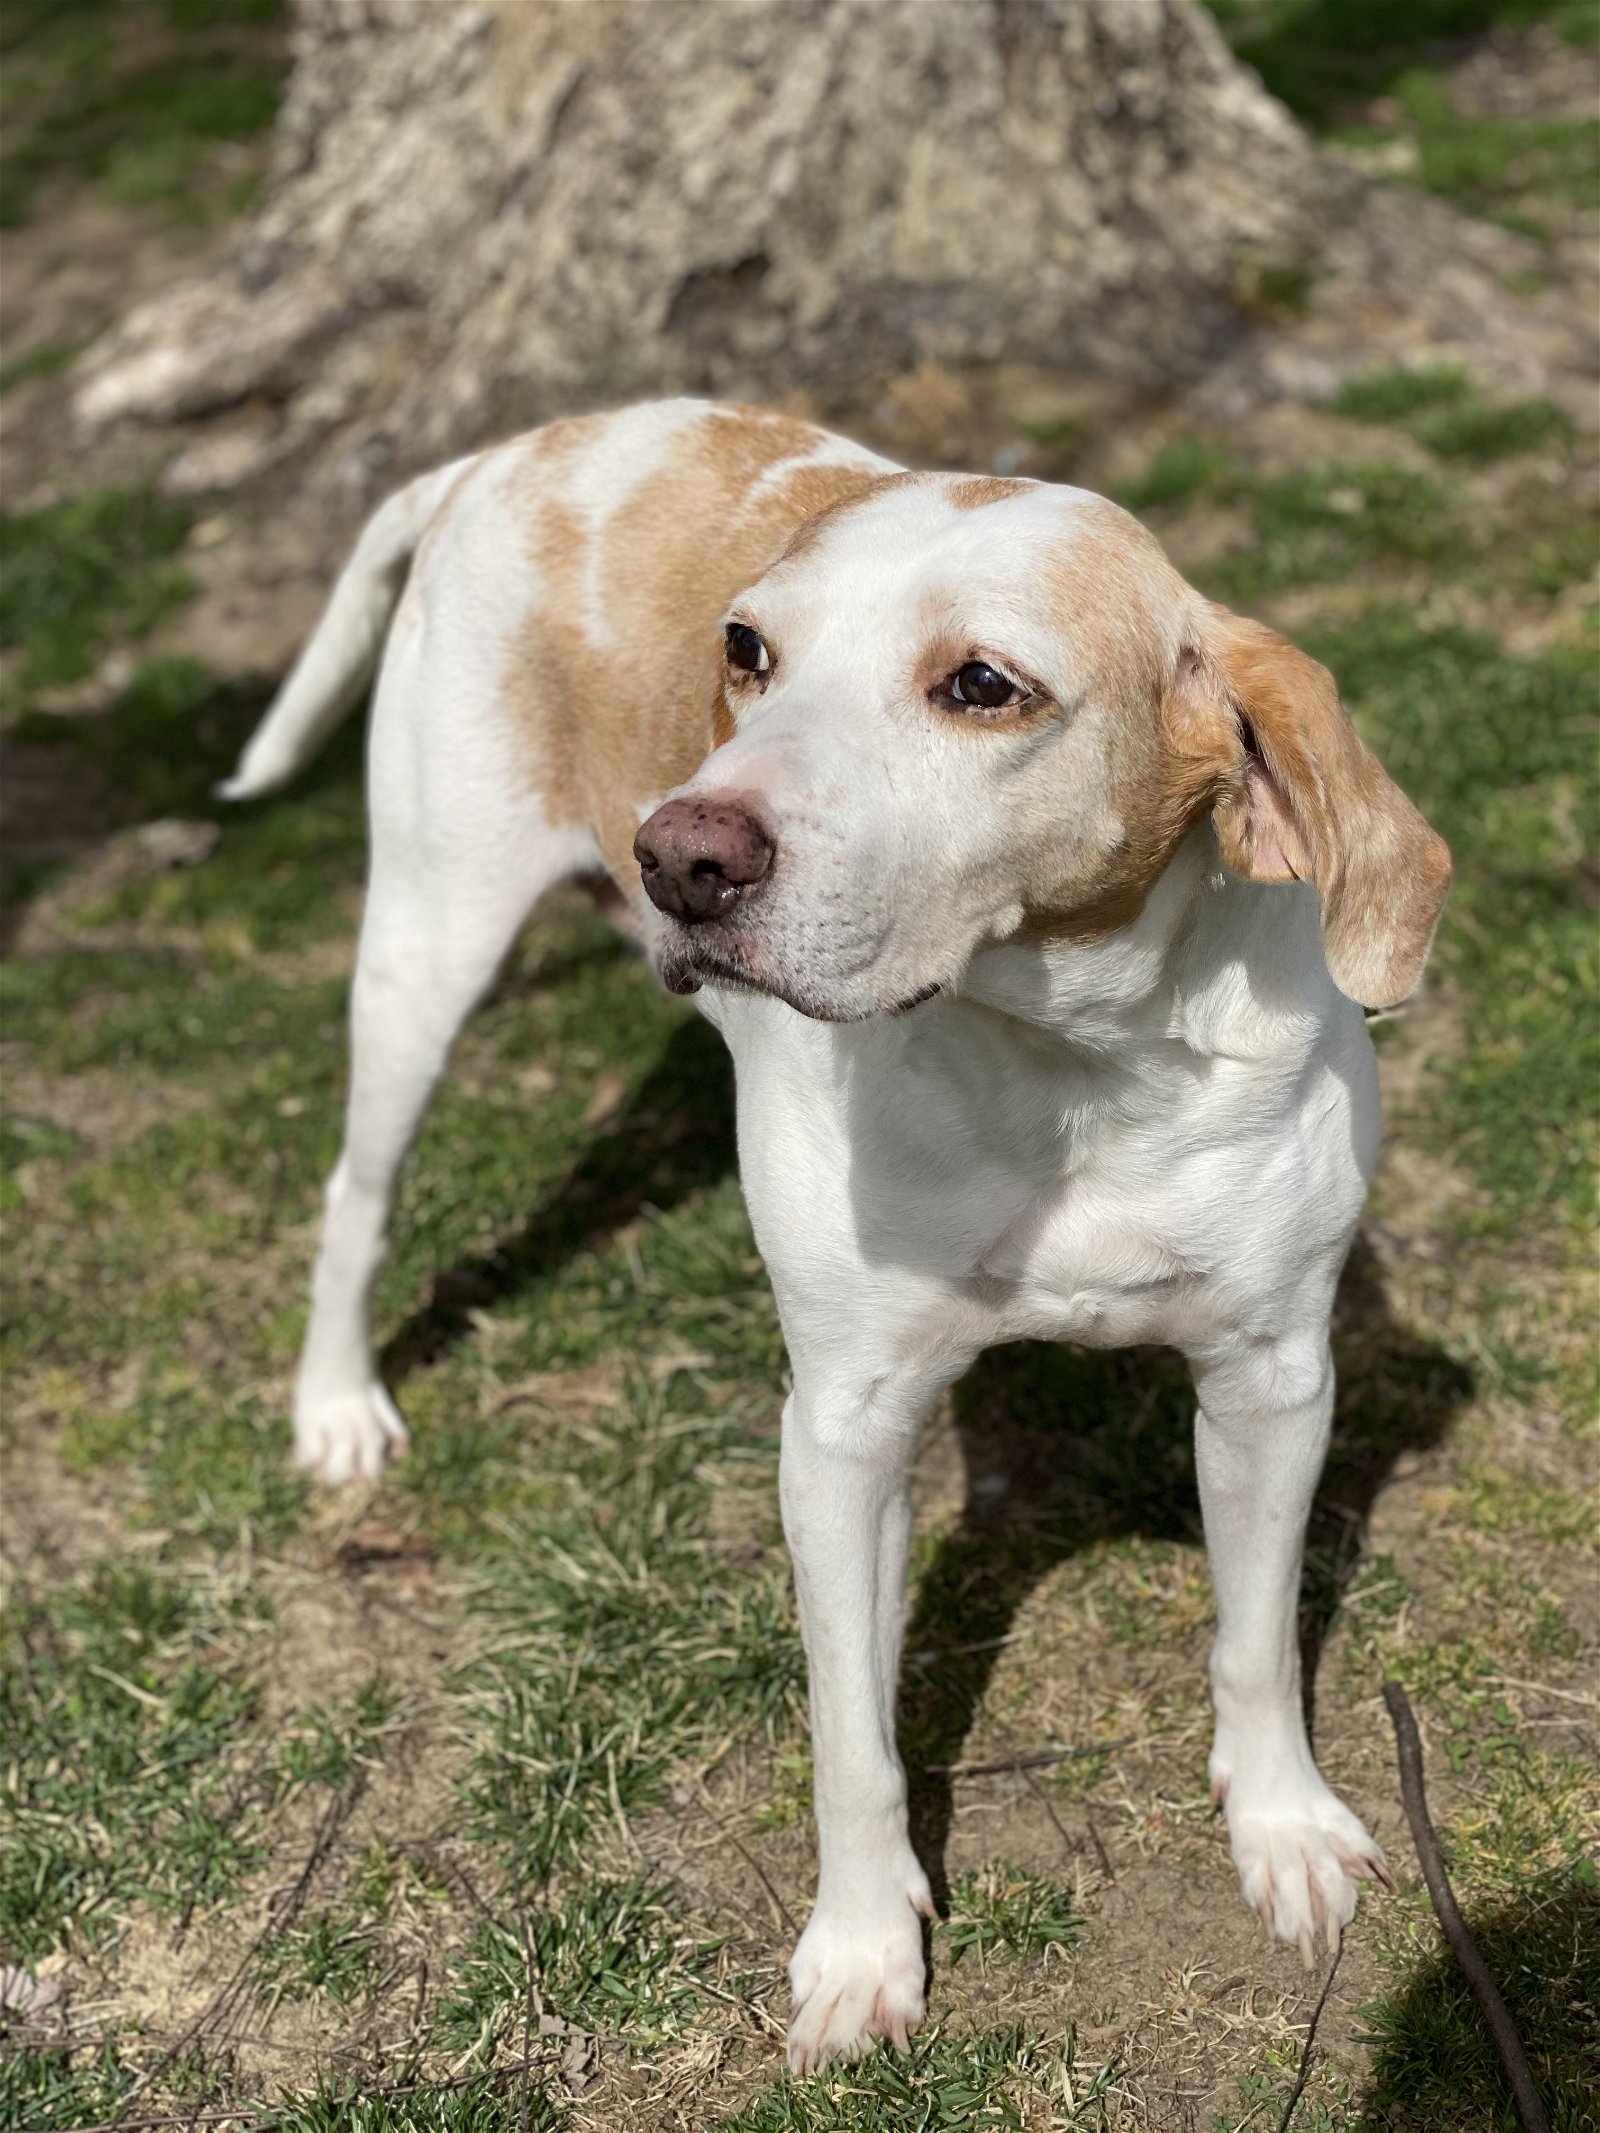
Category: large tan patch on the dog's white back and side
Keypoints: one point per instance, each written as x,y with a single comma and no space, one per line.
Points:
620,718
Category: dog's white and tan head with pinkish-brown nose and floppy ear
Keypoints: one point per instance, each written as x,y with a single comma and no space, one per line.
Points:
970,711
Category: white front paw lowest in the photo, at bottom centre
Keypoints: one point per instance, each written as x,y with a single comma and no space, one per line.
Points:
859,1976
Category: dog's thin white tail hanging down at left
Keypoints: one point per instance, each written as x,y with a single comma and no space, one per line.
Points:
342,654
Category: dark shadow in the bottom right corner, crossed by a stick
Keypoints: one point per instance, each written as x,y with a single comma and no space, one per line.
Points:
1433,2059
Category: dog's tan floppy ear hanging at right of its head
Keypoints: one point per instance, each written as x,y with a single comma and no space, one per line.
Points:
1305,801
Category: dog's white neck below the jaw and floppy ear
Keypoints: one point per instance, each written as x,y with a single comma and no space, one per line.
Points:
1228,967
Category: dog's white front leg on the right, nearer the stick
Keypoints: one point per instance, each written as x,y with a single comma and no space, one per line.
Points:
1260,1443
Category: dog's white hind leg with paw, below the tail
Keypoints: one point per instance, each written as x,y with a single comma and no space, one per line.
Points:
462,850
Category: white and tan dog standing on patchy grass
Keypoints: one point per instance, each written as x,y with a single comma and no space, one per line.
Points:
1034,895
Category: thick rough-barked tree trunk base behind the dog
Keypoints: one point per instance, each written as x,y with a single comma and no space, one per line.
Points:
490,212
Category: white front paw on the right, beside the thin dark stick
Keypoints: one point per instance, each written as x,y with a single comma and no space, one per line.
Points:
1302,1857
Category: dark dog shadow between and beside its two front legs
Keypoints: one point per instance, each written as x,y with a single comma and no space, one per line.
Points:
1070,1447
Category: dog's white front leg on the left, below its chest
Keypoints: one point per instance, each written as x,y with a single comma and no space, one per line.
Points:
859,1972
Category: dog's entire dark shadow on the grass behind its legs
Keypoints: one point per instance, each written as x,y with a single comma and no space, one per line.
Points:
1063,1447
